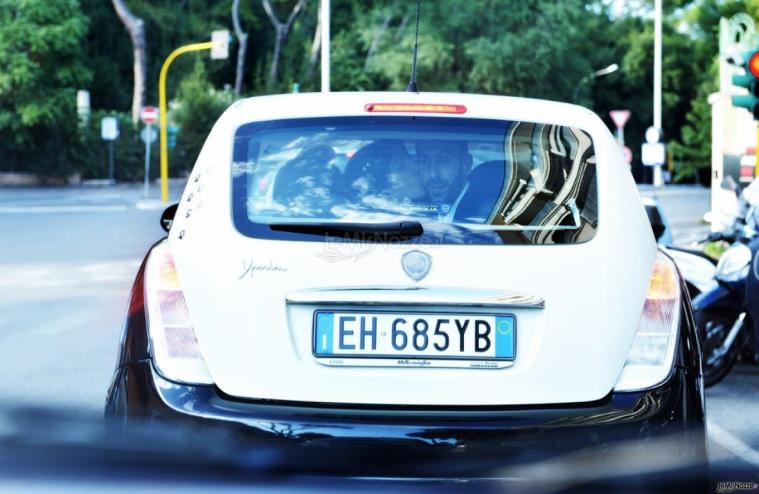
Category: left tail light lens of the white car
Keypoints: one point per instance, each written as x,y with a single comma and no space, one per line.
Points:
175,349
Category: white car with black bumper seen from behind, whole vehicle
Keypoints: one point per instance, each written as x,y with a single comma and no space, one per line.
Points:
413,275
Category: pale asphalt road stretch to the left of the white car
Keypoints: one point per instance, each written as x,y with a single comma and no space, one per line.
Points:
67,261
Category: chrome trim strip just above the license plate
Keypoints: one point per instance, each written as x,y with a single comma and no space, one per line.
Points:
415,296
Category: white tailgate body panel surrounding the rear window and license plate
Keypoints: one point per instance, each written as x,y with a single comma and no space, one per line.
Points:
257,345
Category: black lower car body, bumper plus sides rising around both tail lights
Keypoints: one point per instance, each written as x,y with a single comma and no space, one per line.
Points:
660,427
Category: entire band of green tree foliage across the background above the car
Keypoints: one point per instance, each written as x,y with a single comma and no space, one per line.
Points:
542,48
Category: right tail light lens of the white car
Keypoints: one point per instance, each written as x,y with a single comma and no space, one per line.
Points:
651,357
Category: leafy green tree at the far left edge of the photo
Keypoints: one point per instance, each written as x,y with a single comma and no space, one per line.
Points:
43,66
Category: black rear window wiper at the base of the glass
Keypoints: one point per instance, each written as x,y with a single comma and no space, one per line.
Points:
378,232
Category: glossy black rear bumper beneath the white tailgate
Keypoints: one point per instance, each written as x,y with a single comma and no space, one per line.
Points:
402,441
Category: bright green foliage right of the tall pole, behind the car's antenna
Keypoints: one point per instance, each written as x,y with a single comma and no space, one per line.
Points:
468,46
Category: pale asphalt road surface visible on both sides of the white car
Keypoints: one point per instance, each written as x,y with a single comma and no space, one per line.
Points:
68,257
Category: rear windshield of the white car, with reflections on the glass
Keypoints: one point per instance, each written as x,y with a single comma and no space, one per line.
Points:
465,180
